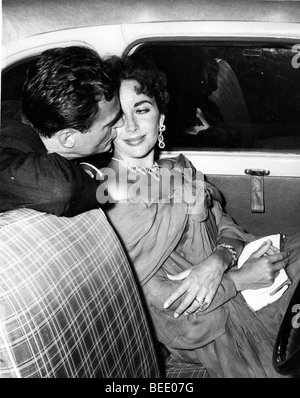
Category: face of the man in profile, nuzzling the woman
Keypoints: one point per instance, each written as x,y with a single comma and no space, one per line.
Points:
100,136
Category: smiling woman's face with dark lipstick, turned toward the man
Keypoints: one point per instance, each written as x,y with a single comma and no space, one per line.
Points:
138,135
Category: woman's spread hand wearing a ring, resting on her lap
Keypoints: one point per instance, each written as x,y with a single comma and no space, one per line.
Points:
200,284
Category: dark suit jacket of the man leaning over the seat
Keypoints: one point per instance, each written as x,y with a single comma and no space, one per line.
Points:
29,177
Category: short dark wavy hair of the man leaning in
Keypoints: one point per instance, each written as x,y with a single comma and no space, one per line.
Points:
63,88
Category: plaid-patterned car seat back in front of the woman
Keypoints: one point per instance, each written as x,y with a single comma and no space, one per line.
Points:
69,305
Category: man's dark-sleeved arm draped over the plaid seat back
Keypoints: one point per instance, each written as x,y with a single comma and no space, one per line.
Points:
44,182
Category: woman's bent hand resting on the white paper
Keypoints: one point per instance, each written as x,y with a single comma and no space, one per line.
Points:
261,269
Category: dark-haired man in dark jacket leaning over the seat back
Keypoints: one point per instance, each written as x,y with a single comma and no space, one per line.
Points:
69,110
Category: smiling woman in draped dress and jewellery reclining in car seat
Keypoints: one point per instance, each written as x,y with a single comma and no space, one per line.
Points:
180,243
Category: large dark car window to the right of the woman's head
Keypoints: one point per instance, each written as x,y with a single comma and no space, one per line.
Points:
237,97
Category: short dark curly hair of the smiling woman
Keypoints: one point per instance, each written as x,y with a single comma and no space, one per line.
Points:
152,81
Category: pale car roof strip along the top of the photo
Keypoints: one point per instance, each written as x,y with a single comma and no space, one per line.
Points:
24,18
